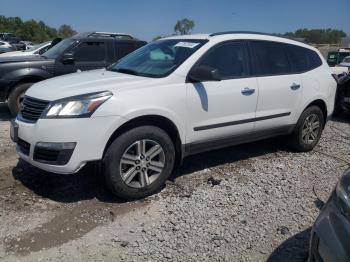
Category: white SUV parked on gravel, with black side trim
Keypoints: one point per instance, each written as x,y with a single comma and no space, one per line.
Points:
171,98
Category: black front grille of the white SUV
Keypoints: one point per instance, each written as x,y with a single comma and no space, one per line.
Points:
32,109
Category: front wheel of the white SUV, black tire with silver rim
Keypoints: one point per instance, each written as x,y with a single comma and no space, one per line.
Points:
115,170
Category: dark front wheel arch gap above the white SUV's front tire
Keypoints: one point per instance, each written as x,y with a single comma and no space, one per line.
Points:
159,121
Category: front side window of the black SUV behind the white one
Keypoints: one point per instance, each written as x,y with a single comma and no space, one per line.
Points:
90,52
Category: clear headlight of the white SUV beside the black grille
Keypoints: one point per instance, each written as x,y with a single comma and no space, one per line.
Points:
76,106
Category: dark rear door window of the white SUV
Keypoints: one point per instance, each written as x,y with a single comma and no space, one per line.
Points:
271,58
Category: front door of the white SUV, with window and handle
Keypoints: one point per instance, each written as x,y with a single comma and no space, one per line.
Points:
226,108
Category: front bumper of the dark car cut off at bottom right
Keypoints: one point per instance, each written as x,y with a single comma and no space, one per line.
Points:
330,236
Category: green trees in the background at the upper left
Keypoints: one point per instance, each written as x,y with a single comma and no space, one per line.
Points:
32,30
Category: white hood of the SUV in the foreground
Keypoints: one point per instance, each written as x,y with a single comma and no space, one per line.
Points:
85,82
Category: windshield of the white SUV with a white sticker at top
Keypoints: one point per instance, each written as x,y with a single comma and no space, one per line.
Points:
157,59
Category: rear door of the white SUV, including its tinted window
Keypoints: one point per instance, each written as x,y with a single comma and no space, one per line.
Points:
279,88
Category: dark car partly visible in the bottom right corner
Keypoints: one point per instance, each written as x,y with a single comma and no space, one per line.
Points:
330,236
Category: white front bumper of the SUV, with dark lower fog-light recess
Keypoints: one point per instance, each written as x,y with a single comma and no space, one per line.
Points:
76,141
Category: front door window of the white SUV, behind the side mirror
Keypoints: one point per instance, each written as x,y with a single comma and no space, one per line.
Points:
230,59
